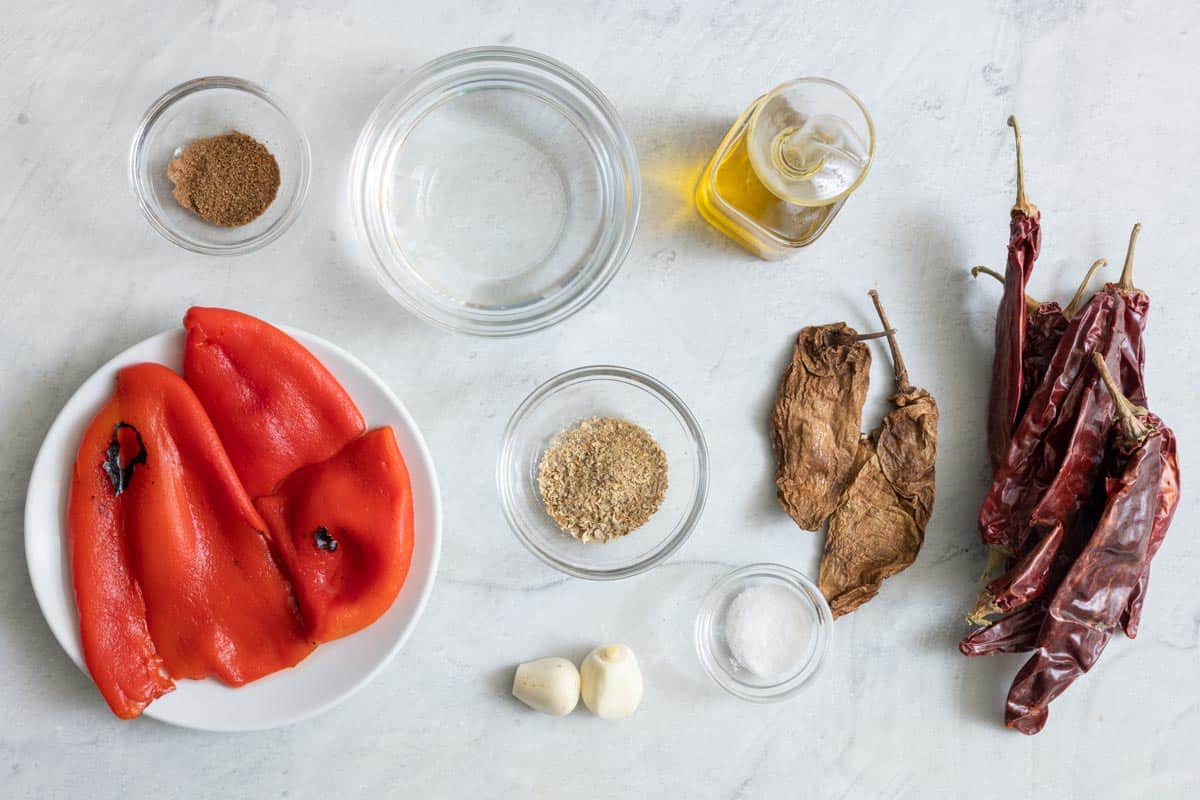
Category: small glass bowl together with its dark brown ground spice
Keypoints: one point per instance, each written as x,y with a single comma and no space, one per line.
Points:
219,167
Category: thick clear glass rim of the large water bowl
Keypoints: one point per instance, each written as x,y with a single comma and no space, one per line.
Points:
419,92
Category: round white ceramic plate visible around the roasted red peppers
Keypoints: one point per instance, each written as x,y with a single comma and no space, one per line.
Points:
334,671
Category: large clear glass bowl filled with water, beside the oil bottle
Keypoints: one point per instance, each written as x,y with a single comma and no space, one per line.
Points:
496,191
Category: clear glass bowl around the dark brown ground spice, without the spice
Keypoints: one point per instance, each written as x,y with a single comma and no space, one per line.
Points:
208,107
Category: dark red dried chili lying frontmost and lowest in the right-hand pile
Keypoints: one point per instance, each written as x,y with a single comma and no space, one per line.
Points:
1143,494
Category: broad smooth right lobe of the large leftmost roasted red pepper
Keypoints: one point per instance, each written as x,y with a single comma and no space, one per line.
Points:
217,601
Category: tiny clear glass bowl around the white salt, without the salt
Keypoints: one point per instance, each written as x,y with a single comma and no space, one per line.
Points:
715,651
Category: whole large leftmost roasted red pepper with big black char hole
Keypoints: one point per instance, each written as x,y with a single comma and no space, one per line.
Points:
170,561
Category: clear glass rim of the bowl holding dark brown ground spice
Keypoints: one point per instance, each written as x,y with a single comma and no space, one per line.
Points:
202,85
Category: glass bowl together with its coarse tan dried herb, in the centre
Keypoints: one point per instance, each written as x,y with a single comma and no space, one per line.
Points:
603,473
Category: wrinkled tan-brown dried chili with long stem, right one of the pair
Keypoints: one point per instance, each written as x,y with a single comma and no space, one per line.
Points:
879,525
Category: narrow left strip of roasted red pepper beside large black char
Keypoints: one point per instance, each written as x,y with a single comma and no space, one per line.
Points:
117,647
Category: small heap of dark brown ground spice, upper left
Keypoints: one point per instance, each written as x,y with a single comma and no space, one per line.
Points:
229,181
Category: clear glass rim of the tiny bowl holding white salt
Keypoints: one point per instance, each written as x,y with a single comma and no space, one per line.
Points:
722,588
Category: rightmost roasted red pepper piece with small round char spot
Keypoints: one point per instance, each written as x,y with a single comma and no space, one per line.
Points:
344,530
